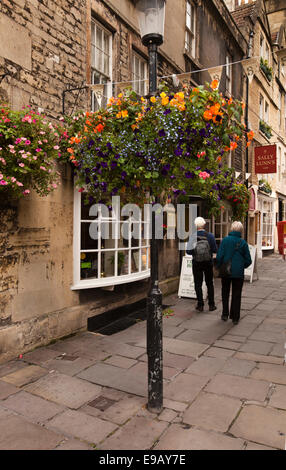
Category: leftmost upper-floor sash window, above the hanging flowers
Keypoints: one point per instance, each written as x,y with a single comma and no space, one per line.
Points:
101,61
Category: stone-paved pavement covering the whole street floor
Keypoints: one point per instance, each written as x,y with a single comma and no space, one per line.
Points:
224,385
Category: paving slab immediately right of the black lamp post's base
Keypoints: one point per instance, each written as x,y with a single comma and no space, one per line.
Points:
185,387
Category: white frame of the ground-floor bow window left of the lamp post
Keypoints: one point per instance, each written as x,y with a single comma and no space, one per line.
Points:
116,279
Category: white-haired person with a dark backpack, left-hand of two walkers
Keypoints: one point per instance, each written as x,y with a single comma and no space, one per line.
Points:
203,269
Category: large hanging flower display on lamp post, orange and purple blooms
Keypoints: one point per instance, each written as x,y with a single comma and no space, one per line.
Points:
175,144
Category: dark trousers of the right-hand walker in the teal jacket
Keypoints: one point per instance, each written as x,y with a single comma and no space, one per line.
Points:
236,285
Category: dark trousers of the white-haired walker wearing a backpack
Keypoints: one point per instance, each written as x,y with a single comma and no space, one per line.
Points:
201,271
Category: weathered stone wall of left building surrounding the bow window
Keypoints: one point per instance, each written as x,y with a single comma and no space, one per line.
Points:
45,51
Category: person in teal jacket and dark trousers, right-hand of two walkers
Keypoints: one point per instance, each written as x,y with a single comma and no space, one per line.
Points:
233,248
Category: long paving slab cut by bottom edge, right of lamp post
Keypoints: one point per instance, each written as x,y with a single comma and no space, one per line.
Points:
180,437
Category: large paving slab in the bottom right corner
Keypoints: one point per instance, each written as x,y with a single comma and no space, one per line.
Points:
261,425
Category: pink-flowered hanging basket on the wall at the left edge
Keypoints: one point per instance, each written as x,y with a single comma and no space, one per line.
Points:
28,151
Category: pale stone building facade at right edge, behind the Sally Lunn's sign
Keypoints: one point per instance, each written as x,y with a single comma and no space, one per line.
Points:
267,110
